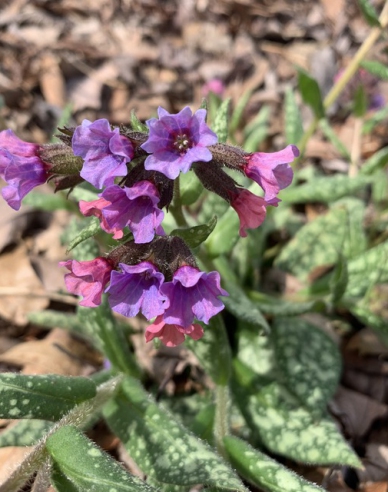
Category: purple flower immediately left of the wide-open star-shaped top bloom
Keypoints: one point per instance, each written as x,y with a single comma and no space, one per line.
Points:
105,152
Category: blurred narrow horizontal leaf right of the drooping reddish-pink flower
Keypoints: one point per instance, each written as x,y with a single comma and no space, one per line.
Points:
324,189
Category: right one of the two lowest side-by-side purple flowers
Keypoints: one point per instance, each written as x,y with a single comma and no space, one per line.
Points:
192,294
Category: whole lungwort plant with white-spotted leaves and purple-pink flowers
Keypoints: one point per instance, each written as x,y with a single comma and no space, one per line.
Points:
174,225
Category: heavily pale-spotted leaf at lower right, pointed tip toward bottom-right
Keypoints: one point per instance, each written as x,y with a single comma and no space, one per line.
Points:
294,432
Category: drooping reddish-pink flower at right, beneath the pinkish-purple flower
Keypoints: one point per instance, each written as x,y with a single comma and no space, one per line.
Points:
251,209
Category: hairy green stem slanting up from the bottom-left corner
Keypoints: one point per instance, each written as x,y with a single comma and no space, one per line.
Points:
79,416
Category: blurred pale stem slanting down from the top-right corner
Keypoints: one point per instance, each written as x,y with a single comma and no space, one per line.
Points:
349,72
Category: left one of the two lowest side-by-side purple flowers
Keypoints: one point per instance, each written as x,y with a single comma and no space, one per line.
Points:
135,289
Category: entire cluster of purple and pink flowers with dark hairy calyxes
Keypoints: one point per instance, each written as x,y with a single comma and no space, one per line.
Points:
151,273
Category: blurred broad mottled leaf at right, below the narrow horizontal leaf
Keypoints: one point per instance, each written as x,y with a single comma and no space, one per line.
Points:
322,241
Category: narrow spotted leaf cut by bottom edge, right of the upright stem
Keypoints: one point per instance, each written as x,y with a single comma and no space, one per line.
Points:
262,471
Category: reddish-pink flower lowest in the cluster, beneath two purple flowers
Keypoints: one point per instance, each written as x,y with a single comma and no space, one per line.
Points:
172,335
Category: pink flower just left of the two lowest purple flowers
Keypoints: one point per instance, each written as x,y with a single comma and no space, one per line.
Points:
87,279
